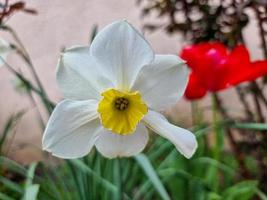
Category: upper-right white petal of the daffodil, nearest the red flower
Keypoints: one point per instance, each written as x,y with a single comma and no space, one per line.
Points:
163,82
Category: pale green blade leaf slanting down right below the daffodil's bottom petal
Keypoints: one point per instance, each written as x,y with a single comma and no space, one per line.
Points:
145,164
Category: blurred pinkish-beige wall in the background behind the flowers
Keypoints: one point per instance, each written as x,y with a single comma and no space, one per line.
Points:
63,23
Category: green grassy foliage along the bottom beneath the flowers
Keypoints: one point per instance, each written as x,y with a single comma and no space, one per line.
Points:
160,173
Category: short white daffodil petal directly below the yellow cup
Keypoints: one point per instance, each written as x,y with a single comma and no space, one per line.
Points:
112,145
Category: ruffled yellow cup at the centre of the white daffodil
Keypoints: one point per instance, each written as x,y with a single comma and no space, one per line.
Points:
120,111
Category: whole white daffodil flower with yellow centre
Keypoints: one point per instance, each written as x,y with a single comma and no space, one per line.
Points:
113,90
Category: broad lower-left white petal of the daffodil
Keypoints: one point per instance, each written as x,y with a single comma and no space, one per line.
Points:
72,129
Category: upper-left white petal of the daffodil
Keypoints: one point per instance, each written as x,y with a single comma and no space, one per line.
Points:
79,76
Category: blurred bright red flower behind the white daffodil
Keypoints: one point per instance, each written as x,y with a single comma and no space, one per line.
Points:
214,68
